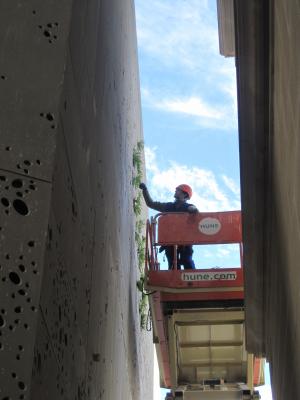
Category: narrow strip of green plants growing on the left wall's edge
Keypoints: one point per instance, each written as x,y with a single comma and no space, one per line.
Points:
139,225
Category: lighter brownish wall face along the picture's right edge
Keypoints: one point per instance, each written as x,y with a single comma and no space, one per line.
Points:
283,281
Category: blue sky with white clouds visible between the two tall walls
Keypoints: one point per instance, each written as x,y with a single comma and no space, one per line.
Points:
189,107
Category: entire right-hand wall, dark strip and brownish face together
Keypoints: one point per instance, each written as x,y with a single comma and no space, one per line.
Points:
271,171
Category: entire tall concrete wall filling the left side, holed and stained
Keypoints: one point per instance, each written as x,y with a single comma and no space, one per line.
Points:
76,120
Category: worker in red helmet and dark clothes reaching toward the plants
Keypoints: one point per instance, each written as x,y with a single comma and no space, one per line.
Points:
182,194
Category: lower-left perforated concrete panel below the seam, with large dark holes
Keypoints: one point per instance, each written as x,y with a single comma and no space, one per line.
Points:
24,216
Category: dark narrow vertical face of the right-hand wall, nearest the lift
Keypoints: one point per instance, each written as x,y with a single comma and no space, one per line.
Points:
253,88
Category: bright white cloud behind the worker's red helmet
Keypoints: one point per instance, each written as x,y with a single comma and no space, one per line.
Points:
208,194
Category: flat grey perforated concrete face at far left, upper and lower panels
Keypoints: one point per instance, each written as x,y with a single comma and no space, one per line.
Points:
33,41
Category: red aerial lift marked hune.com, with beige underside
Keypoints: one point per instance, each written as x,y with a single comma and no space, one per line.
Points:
198,314
